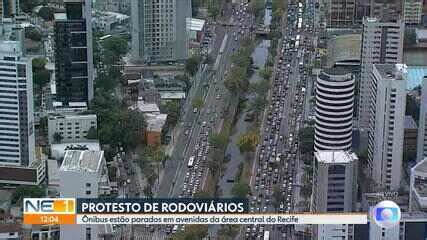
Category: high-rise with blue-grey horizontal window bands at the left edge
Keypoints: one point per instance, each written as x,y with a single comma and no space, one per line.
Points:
17,142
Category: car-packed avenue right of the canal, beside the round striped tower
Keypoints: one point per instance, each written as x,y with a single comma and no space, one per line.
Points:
273,185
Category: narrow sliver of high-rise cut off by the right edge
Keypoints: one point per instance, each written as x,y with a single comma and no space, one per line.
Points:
422,124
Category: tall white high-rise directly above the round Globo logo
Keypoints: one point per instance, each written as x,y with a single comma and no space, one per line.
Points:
386,125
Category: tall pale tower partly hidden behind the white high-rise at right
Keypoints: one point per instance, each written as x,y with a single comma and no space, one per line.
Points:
382,42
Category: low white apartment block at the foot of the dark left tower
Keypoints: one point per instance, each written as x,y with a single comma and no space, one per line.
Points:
72,128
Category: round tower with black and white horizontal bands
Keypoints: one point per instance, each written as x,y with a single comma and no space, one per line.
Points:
334,110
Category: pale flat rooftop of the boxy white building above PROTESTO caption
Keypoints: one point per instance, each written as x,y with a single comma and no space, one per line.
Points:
82,161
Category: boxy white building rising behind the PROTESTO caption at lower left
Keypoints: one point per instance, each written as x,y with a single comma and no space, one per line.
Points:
83,174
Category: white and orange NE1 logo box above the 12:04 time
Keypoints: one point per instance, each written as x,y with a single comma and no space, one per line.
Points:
49,205
